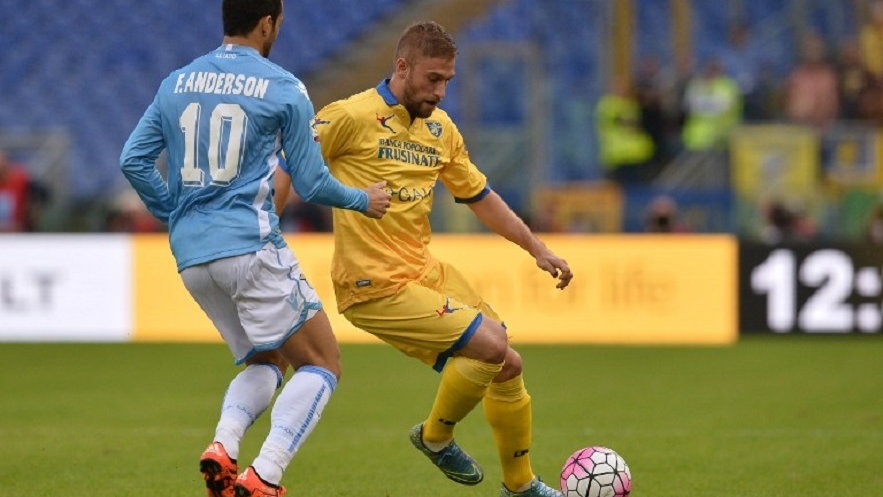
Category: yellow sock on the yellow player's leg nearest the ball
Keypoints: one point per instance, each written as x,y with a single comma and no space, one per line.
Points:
507,409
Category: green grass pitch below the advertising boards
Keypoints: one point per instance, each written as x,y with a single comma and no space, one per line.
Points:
771,416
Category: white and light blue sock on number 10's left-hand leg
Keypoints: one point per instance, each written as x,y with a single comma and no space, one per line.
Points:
247,397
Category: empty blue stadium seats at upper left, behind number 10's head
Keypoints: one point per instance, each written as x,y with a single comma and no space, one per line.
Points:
95,68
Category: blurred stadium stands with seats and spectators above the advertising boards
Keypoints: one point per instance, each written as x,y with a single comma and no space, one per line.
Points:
760,118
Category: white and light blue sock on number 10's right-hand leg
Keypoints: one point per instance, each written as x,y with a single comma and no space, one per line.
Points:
295,413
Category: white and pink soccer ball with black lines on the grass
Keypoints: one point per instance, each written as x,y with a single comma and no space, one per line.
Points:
596,472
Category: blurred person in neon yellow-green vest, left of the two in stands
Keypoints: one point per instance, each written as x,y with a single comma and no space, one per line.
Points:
624,146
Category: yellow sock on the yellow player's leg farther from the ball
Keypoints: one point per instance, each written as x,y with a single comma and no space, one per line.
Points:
463,384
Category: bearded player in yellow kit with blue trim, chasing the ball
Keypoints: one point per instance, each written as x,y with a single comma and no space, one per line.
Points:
388,284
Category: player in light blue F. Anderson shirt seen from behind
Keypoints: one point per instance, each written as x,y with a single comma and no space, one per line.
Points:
224,119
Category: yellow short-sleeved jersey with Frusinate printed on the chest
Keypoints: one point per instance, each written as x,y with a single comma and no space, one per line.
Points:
367,138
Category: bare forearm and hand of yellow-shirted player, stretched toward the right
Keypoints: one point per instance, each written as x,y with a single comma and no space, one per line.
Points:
494,213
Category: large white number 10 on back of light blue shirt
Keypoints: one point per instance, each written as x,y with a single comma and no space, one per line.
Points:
227,128
